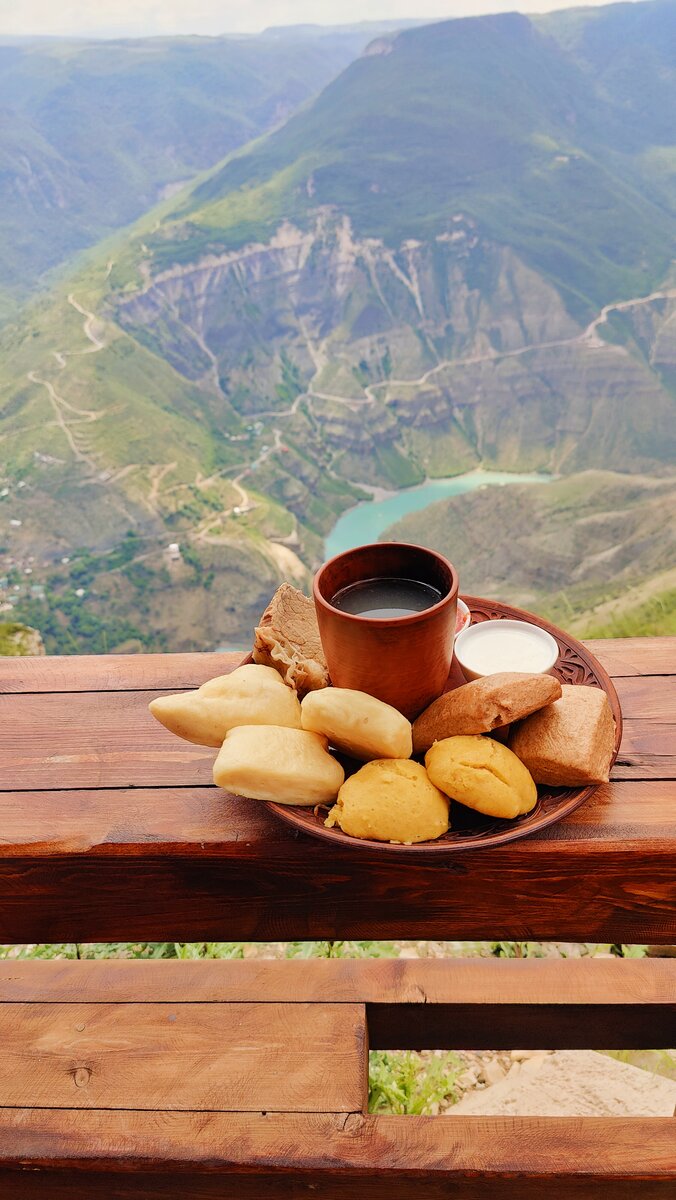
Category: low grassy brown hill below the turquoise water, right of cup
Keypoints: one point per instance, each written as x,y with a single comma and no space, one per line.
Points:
594,551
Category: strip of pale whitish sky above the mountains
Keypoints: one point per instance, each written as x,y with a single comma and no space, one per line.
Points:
123,19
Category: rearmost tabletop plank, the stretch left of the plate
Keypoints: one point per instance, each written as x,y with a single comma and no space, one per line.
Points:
113,673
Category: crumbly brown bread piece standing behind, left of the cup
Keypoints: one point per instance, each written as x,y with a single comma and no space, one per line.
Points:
288,639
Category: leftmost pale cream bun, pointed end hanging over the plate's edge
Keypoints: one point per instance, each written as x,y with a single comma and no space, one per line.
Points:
249,695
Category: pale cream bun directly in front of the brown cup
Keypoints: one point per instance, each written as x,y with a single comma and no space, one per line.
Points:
357,724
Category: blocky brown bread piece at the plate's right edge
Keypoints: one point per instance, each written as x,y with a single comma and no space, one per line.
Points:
569,743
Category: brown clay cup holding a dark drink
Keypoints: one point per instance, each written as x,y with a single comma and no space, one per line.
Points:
402,661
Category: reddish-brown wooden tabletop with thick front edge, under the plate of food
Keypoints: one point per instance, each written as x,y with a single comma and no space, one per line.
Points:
110,830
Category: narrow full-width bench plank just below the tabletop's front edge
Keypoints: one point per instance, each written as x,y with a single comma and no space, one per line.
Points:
496,982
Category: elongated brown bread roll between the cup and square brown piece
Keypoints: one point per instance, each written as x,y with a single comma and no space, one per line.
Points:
483,705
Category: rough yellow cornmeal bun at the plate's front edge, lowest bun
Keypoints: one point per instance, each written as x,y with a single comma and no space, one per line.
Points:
391,800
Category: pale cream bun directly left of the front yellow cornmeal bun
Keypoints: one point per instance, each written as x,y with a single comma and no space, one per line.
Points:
273,764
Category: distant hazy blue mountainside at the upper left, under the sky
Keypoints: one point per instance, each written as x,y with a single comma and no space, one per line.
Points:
92,133
